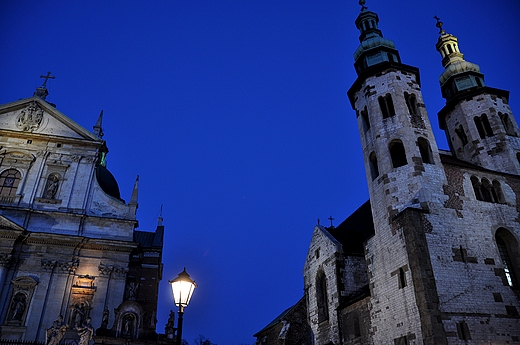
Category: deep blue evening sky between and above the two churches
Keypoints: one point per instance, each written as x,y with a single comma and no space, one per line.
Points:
234,115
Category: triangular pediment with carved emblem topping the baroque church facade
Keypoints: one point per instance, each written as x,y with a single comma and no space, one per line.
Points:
34,115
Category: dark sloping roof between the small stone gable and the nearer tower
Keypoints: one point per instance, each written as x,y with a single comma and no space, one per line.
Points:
355,230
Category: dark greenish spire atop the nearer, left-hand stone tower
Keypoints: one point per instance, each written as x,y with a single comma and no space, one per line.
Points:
373,49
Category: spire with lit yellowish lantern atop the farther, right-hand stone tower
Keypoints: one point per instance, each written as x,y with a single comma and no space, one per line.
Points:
468,73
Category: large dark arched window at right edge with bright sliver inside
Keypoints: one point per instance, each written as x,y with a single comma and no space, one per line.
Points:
508,250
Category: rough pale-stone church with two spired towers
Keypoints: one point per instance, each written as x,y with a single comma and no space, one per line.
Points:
433,257
